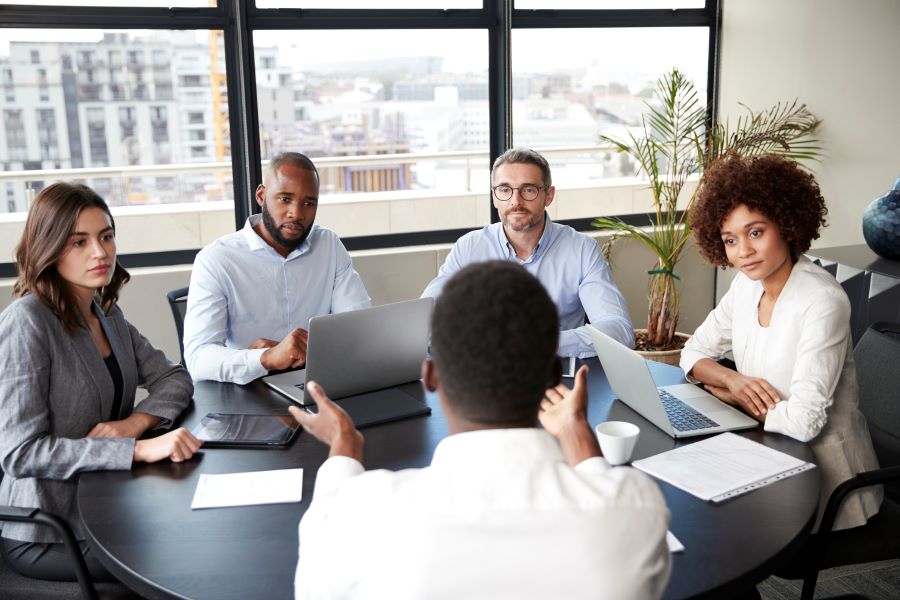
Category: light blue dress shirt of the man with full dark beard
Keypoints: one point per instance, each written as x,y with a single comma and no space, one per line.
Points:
242,289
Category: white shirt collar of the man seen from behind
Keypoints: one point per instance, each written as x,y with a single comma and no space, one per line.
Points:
502,447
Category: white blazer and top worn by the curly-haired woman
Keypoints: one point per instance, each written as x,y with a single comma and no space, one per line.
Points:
806,353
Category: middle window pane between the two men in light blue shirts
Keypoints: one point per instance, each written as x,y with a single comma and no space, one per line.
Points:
397,124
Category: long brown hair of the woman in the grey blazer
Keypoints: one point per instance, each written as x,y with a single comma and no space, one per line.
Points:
50,221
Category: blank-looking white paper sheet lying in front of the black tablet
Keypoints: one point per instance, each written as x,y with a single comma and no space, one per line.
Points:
246,489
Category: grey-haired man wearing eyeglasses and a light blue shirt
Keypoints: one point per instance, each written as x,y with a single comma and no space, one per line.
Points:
569,264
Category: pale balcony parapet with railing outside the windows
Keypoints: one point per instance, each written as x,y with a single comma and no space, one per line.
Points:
203,209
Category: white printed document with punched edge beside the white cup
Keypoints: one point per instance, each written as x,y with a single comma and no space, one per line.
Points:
722,467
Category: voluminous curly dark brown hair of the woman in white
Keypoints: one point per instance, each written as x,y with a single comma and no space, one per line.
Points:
772,185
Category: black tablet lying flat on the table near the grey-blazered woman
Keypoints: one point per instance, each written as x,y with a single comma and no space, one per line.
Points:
225,430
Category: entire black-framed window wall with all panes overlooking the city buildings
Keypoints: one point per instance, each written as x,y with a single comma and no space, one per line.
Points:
170,108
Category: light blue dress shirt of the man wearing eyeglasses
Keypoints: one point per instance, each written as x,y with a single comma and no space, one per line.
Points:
573,272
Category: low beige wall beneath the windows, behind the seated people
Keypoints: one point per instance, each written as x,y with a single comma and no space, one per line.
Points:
400,274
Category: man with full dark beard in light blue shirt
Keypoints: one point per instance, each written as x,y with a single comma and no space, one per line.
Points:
253,292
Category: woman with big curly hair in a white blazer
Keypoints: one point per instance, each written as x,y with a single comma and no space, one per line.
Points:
786,320
